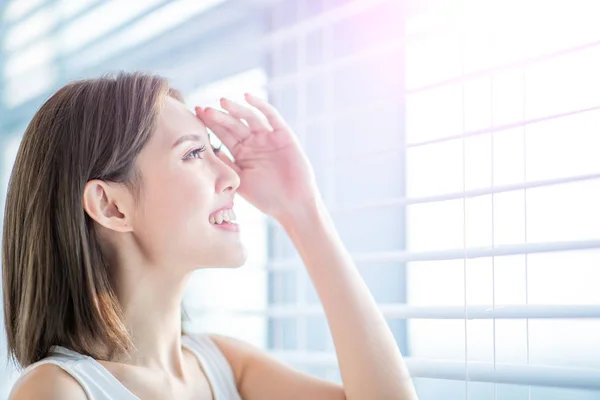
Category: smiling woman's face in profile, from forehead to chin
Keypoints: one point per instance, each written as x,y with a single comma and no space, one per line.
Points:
185,191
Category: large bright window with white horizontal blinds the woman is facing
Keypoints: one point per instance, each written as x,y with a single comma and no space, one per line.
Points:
456,147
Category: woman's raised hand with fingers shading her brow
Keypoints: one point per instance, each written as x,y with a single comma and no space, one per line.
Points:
275,174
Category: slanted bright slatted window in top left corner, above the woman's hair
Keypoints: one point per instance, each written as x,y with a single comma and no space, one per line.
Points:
47,42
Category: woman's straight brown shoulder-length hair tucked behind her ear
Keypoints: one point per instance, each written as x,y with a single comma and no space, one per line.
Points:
56,281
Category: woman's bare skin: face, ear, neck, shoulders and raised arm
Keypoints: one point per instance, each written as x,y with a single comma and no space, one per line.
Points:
157,242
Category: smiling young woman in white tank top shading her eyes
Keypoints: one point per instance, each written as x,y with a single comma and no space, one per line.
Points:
115,197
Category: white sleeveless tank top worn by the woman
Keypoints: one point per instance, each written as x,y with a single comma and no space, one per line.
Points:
99,384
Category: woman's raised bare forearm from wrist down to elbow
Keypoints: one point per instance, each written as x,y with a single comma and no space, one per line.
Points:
370,362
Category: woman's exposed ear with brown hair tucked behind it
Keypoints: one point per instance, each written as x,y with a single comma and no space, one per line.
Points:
107,205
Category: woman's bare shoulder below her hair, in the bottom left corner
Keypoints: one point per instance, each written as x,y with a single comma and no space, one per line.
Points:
47,382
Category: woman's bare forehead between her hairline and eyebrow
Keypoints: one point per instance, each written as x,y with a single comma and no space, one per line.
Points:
176,120
